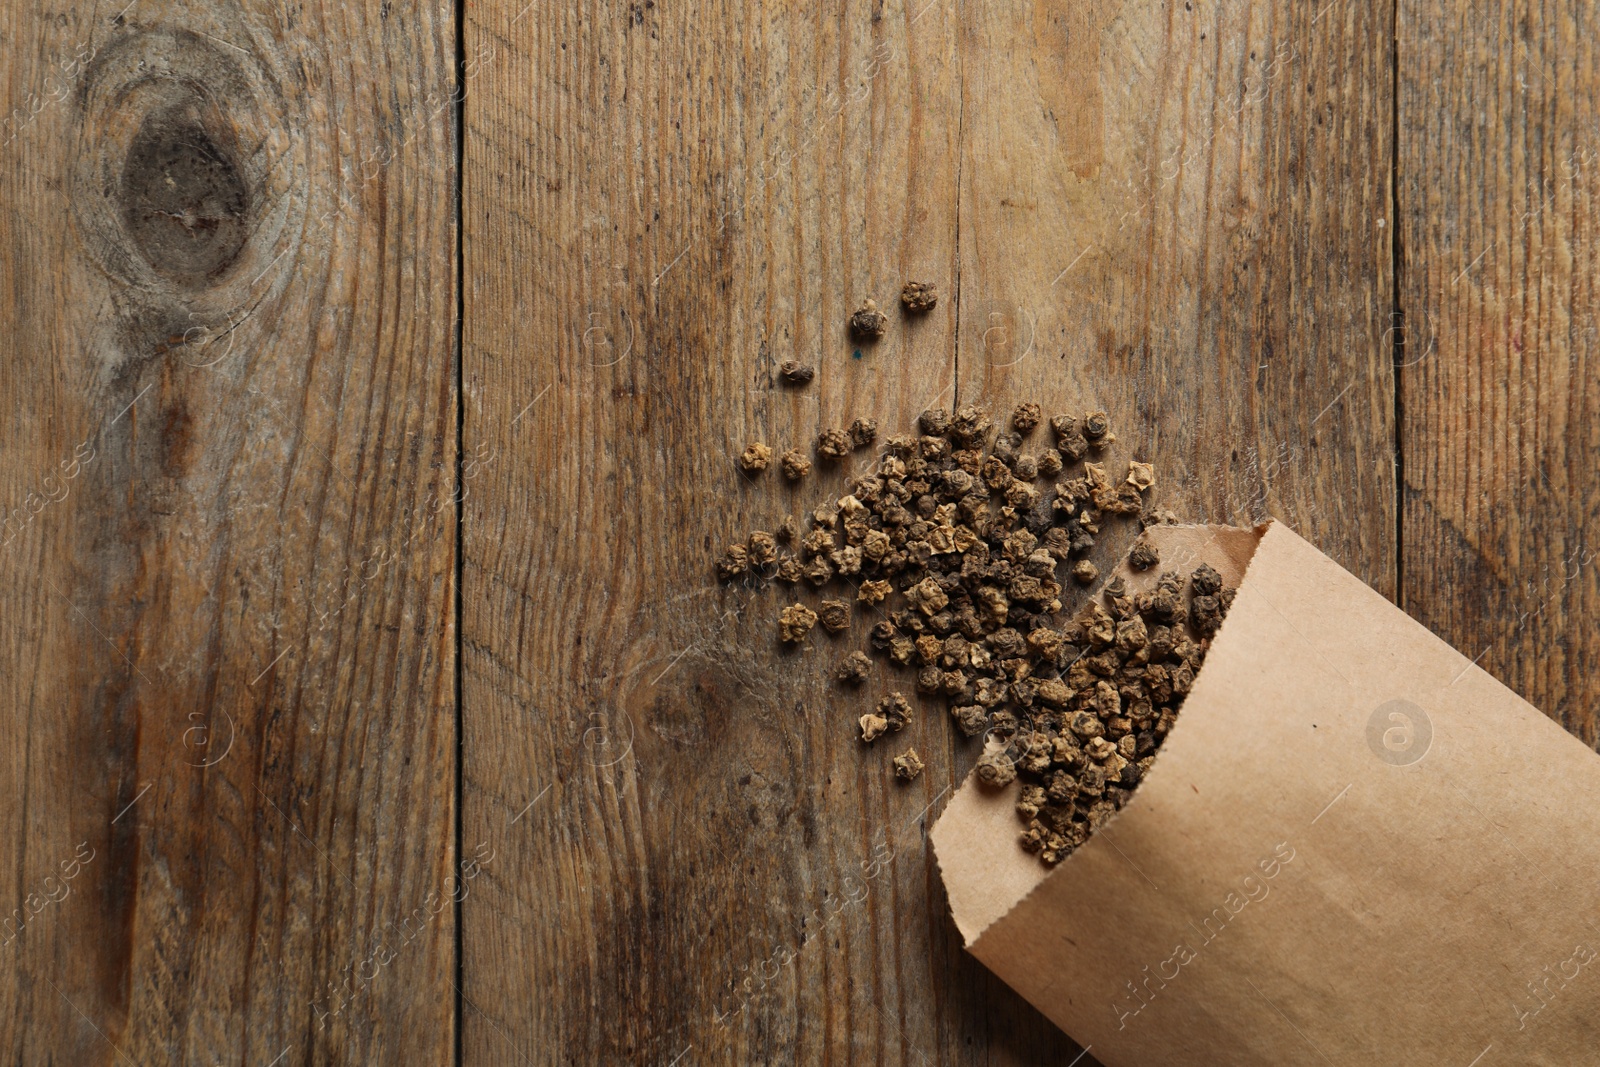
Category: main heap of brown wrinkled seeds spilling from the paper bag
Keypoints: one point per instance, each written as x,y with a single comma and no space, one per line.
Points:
953,545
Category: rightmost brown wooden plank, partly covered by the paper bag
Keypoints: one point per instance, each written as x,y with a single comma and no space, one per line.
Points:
1500,161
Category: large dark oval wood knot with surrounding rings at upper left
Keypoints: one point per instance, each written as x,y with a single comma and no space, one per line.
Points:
190,186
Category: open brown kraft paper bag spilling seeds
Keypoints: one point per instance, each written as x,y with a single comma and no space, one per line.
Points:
1354,849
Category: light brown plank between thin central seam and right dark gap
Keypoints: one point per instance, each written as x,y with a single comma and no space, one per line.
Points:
1199,246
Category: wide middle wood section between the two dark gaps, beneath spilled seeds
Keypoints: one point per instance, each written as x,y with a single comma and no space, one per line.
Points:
1178,215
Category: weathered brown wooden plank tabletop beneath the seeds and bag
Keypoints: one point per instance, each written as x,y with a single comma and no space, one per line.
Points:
374,378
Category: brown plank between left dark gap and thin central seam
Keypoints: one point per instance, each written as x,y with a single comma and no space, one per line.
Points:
662,206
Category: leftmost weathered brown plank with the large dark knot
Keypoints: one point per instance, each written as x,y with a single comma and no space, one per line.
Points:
230,425
